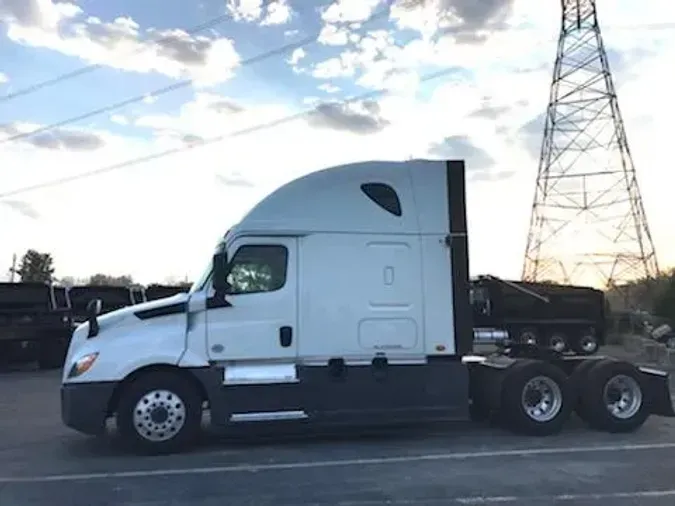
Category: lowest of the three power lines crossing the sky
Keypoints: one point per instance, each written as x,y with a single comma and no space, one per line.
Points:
177,150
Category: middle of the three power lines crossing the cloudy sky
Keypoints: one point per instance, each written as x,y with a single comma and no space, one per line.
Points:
173,87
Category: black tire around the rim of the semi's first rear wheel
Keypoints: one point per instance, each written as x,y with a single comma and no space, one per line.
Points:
513,413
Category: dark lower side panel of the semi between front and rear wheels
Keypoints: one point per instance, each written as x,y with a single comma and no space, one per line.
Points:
345,394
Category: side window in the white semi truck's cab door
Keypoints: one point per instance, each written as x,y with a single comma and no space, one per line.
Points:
258,268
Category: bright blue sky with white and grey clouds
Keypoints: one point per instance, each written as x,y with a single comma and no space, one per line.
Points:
242,96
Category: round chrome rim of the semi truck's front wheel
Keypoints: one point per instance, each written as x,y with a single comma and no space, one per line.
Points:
159,415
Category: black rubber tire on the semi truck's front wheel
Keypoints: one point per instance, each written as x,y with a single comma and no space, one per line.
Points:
182,426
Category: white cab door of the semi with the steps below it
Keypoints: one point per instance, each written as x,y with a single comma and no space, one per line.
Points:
254,334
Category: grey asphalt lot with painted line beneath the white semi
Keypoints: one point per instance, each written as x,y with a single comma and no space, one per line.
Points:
44,463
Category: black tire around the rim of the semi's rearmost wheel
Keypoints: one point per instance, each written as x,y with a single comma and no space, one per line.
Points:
593,401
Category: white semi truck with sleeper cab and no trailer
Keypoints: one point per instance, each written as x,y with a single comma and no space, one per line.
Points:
342,297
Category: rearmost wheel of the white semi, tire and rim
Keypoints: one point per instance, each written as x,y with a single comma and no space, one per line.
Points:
614,398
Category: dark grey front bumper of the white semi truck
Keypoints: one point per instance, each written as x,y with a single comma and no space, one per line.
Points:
84,406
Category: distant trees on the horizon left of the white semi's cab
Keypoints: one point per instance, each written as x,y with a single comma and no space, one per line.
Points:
38,267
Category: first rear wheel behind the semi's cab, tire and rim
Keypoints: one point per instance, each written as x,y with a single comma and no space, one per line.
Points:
536,398
